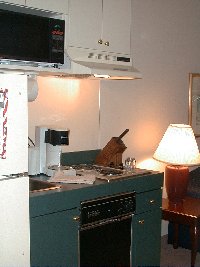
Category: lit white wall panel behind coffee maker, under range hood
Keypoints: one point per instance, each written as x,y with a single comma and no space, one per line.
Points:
69,104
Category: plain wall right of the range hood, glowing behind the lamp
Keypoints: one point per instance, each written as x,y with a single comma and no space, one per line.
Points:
166,41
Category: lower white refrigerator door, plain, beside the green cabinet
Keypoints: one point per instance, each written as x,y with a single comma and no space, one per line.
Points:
14,223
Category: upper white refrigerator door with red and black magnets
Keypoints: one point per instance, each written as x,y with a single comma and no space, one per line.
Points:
13,124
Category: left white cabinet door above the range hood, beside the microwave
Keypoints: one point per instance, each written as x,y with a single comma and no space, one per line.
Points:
85,22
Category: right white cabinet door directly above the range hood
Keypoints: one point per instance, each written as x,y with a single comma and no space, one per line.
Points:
117,25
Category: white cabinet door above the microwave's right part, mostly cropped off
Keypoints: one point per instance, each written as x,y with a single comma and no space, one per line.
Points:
60,6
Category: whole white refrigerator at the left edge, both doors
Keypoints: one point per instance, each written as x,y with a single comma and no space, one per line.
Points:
14,182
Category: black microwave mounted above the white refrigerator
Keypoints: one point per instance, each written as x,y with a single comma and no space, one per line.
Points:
31,38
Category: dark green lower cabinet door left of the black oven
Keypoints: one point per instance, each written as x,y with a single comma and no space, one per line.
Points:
54,239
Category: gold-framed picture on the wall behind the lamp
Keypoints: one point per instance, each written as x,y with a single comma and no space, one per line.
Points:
194,102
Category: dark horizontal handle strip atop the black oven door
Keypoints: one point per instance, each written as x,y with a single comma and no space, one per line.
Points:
105,221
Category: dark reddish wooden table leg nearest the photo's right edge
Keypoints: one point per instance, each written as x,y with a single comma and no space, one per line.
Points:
194,233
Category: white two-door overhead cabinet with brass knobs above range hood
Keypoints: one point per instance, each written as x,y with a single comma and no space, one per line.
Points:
103,25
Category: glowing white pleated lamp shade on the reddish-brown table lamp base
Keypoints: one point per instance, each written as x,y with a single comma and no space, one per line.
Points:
178,146
